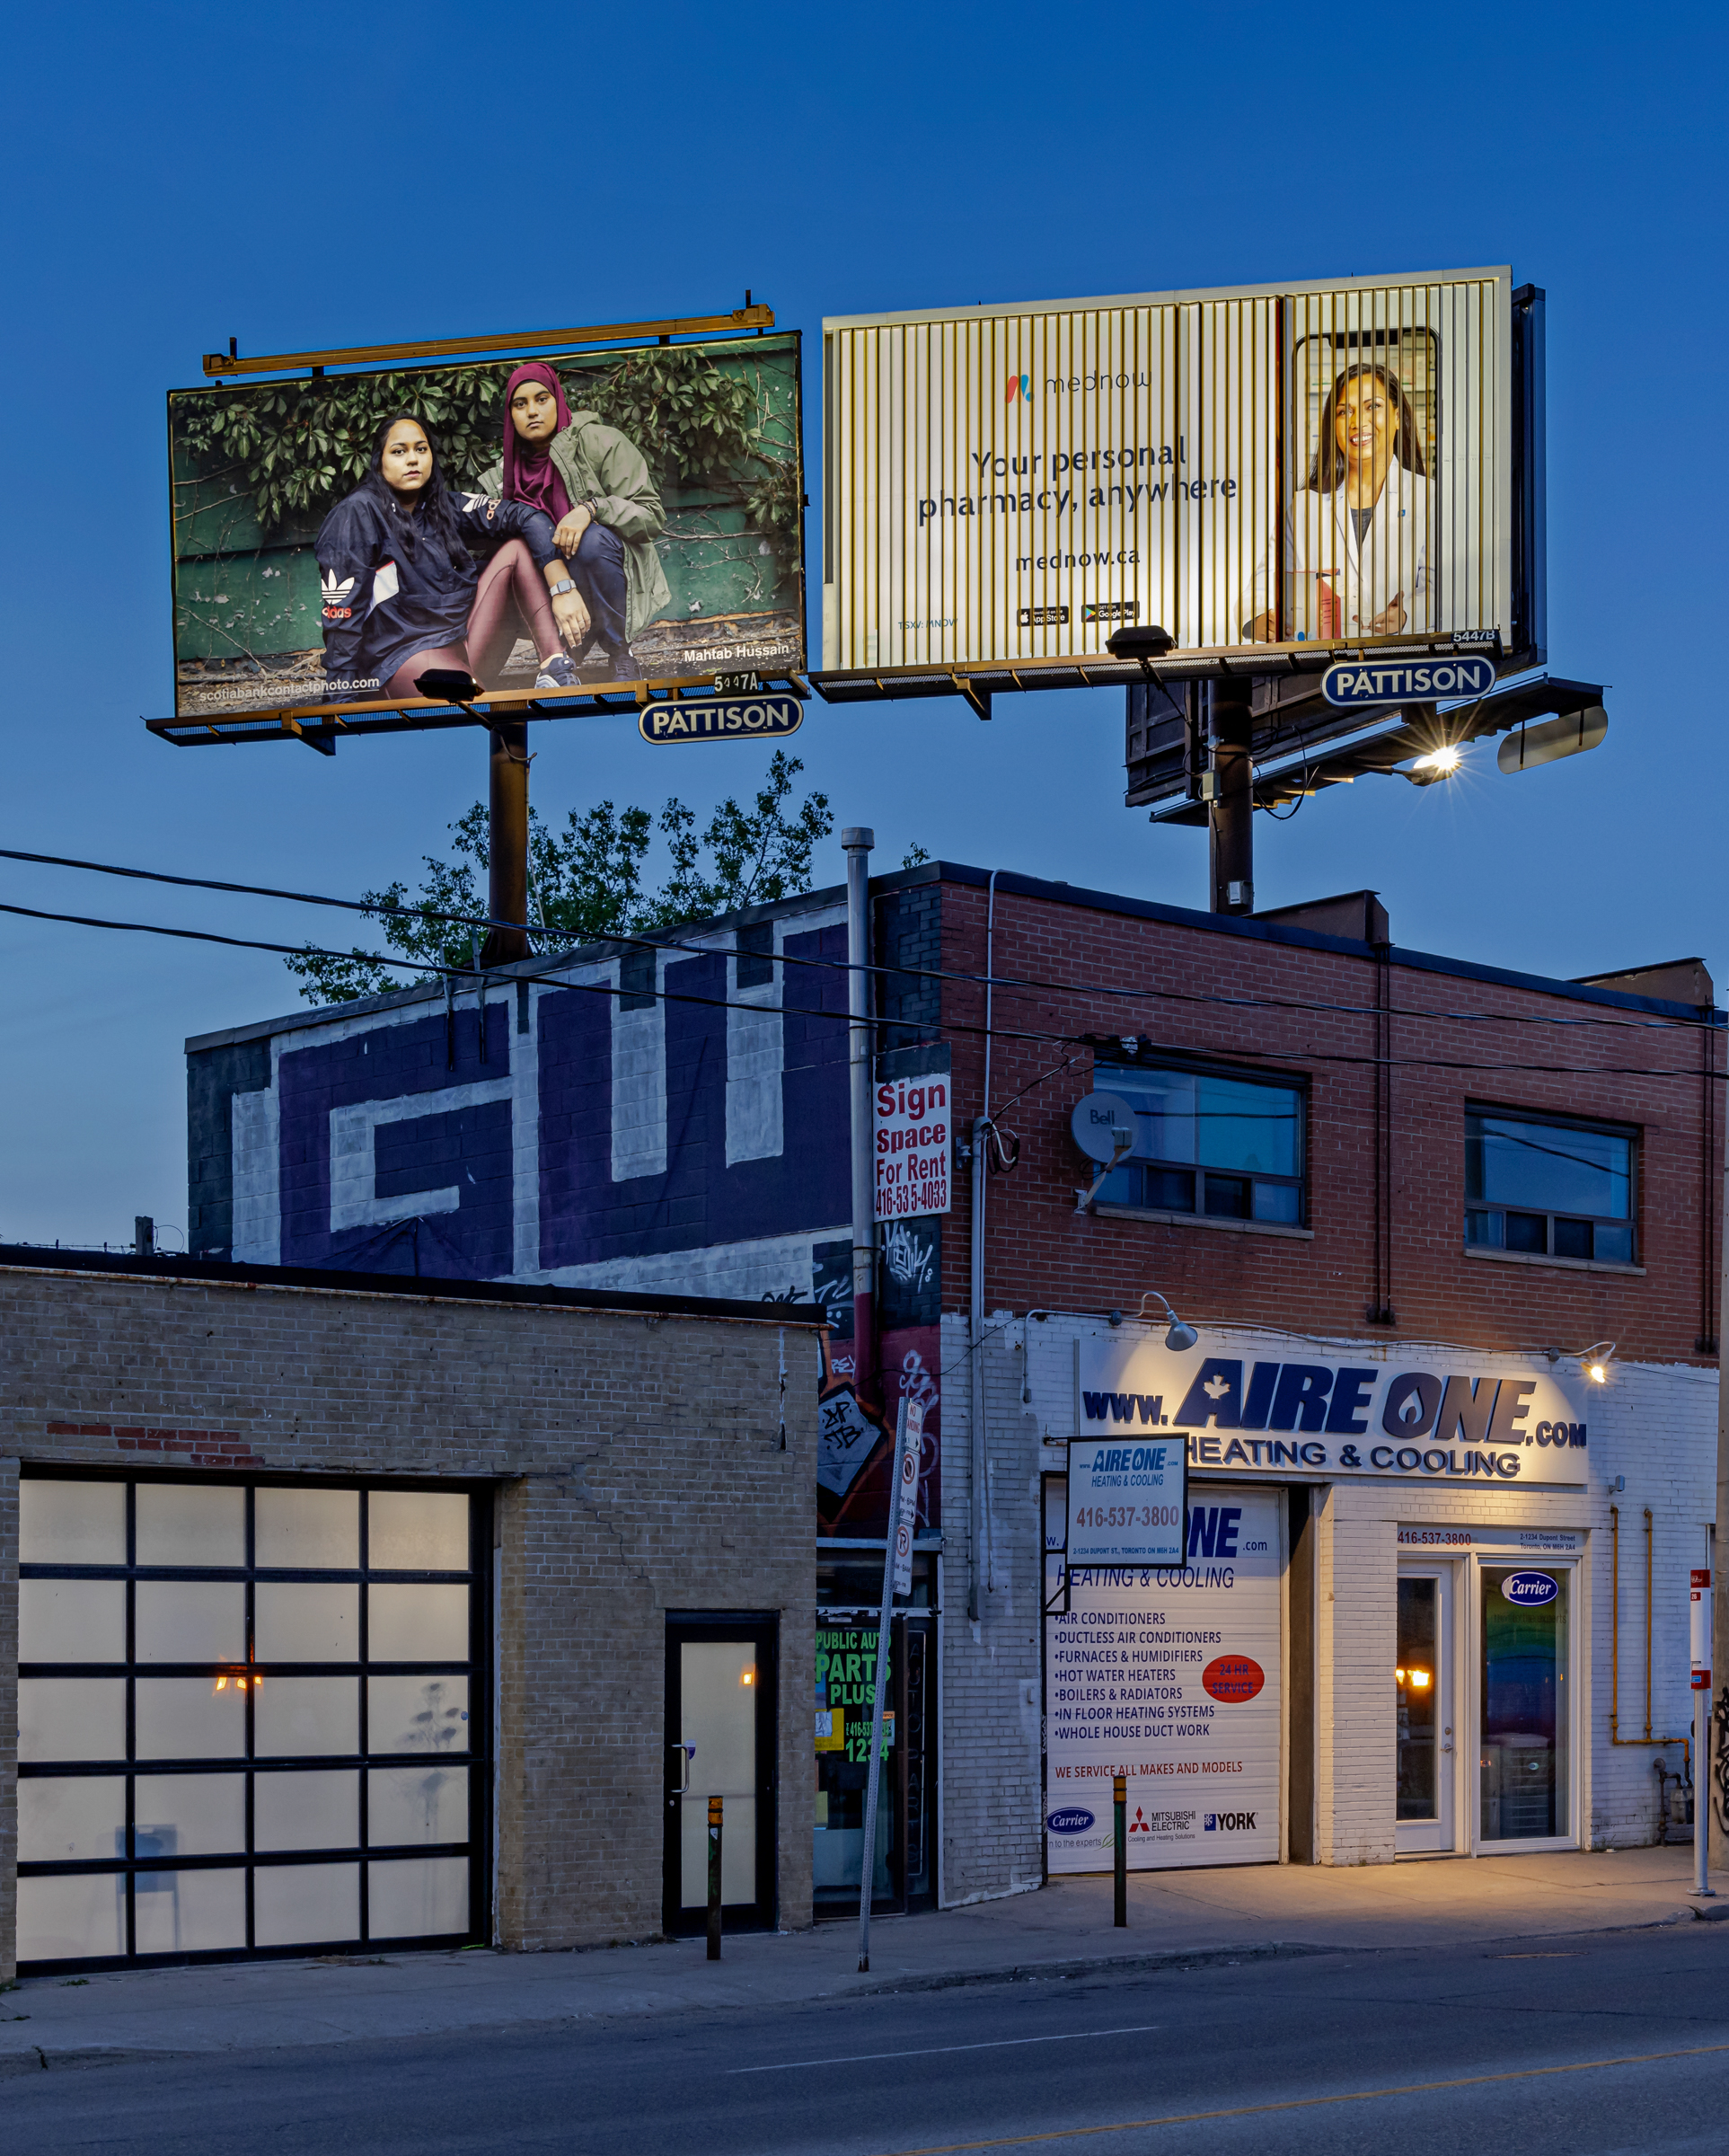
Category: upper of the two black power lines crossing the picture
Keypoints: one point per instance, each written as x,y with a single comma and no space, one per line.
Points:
840,965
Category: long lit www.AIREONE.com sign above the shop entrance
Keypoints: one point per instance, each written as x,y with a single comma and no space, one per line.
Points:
1277,1402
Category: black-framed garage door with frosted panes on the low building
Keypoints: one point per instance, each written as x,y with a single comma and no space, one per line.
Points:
251,1719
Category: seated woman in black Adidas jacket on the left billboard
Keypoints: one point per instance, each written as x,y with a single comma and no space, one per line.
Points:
415,579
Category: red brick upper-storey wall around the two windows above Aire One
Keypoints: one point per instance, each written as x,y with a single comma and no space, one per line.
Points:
1040,1252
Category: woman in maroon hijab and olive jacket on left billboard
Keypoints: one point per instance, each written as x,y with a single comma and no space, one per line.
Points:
607,512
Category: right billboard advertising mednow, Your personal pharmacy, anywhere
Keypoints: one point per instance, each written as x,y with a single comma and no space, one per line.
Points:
1251,467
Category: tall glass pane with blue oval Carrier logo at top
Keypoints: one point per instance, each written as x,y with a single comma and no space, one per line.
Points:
1525,1745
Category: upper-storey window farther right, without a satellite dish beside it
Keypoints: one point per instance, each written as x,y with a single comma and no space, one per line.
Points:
1549,1189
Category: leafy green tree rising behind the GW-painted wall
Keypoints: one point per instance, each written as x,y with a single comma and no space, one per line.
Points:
587,881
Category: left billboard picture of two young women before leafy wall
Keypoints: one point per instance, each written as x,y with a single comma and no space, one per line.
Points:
624,514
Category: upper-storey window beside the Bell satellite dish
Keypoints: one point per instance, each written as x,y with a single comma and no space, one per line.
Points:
1211,1144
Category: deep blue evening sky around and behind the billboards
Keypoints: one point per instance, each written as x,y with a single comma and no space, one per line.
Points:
305,178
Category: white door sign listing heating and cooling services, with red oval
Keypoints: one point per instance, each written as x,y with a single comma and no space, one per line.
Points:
1172,1678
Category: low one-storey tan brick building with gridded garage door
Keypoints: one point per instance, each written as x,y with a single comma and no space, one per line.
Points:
346,1609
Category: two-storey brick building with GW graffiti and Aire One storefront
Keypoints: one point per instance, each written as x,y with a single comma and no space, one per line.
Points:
1396,1198
